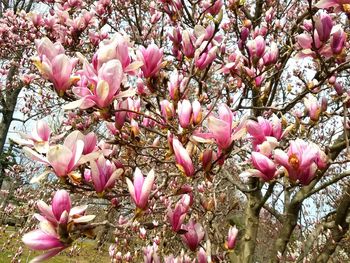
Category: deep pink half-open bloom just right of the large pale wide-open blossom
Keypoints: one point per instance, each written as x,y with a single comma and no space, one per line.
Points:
104,174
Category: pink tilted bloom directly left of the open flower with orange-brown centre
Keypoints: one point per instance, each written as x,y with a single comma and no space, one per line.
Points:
265,168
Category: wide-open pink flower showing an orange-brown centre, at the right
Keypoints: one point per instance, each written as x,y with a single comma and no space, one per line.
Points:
300,161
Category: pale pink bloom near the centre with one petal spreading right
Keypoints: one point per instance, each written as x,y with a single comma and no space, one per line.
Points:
223,129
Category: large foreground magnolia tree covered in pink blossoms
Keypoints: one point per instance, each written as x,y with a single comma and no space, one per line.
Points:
216,131
